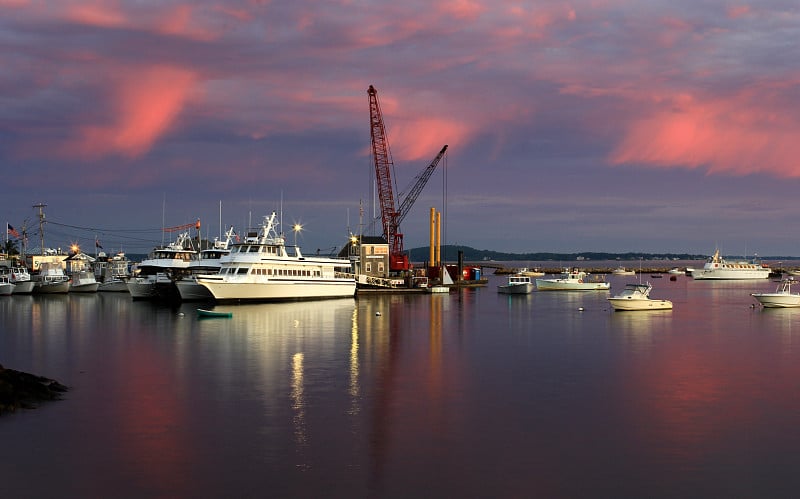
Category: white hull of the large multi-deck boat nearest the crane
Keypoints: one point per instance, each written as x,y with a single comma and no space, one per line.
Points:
279,290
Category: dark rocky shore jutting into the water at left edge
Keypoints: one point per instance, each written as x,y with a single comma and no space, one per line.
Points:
20,390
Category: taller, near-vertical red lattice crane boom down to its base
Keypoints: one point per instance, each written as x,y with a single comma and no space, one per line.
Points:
383,165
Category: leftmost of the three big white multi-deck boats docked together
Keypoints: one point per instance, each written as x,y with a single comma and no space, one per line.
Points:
155,276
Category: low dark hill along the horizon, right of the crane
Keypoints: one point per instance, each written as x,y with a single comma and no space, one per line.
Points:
450,254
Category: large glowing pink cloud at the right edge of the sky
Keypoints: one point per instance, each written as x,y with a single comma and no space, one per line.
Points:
747,133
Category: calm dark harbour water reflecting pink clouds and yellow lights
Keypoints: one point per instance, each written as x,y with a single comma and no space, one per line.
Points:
471,394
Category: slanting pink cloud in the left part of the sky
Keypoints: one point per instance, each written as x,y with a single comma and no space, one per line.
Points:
147,105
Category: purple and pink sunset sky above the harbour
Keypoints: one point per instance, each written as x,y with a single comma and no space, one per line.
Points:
585,125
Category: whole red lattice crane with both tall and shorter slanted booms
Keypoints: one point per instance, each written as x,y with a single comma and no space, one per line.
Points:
391,215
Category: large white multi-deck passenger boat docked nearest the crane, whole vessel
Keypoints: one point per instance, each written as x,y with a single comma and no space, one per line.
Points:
260,268
